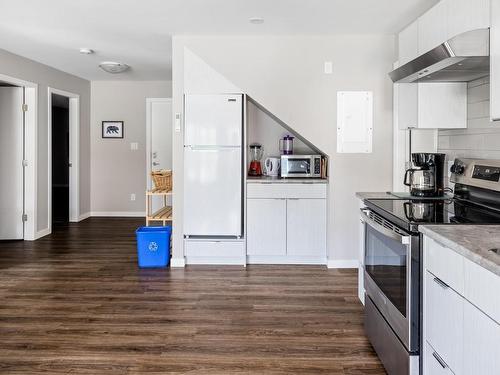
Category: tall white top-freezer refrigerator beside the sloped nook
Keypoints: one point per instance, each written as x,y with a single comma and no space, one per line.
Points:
213,165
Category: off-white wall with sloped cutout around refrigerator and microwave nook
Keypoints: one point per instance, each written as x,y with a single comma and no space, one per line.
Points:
285,75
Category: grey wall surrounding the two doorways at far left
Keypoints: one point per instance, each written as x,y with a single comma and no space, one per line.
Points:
45,76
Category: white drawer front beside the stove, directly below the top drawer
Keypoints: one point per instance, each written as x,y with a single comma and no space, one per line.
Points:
443,321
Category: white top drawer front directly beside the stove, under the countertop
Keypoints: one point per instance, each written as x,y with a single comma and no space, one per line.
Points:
444,263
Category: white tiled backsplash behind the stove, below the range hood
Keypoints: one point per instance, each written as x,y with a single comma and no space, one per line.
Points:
481,139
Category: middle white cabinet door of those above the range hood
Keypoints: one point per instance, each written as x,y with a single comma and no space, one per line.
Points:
432,28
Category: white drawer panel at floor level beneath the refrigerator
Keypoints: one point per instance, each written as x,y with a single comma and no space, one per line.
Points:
202,248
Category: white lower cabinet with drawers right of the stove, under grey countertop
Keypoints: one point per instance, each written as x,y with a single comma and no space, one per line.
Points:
460,337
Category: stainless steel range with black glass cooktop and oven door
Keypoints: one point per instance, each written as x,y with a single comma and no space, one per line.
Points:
392,254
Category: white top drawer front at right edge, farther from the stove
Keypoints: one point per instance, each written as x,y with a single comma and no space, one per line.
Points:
482,288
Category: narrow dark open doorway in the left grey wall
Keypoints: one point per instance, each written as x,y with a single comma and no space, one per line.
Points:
60,159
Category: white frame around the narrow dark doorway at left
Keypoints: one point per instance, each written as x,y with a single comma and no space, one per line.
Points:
74,154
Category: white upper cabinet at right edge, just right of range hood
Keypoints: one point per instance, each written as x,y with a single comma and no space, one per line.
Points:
495,61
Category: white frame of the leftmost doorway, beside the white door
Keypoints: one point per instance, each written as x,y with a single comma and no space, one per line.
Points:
30,154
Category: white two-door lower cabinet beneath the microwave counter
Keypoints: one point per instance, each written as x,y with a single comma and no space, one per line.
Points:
286,223
